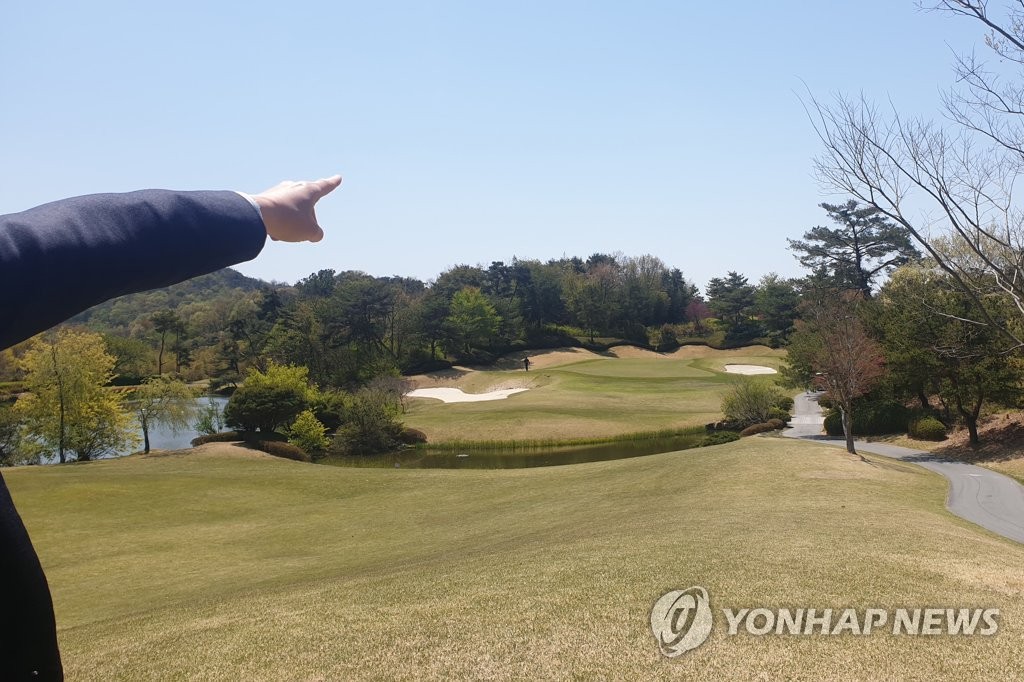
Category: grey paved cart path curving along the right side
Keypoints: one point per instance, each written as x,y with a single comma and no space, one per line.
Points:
978,495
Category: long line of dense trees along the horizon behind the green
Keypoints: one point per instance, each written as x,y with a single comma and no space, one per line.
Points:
350,327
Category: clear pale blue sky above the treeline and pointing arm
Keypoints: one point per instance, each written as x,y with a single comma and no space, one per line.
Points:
466,132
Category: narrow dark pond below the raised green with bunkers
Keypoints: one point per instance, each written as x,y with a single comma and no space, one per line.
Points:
433,458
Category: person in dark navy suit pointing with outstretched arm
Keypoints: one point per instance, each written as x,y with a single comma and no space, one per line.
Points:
62,259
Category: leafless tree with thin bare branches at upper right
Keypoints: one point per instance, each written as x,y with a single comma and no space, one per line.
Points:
954,180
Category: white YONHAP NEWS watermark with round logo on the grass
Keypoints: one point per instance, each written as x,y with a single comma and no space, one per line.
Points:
682,620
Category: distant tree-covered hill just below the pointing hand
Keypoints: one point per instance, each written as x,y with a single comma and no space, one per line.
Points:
119,314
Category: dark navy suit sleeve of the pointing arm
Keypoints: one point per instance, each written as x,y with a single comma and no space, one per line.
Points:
65,258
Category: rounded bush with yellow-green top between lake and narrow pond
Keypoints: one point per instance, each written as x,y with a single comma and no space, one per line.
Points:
269,400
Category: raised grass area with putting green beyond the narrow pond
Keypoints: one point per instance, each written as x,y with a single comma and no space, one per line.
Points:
594,398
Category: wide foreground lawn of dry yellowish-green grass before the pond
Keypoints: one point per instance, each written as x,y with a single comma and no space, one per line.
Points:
227,565
